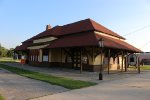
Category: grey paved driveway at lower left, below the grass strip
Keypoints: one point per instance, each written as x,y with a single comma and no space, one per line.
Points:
15,87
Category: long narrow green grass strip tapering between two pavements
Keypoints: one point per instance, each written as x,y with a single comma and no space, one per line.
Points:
61,81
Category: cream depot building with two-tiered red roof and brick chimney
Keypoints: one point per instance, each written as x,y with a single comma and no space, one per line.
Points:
83,45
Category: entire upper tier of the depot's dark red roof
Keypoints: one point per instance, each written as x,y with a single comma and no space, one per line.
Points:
76,27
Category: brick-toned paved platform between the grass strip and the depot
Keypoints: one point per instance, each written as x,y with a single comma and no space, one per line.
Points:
75,74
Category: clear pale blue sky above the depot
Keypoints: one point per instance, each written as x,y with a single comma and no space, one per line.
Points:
22,19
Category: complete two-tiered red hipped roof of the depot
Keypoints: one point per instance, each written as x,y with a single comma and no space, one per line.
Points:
81,33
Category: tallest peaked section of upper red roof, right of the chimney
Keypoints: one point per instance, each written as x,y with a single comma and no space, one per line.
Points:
83,26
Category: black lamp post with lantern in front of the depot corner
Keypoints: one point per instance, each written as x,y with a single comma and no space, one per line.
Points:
101,45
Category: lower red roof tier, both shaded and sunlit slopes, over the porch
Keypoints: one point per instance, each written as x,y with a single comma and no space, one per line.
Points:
91,39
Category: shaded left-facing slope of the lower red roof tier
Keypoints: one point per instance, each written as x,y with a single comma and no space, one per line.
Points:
77,40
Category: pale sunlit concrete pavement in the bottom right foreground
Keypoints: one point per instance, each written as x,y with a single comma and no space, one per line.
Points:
132,88
